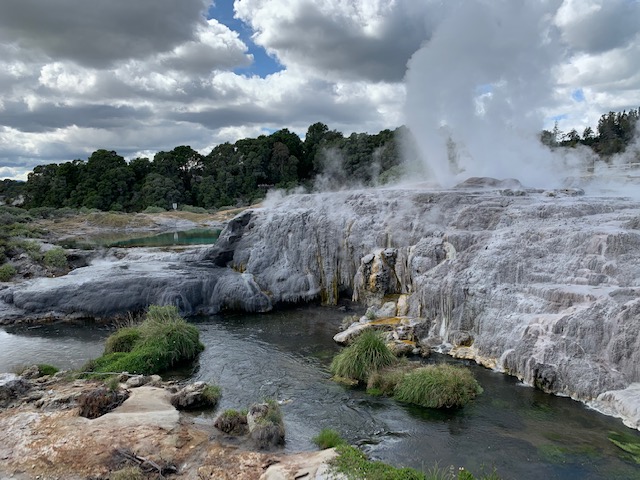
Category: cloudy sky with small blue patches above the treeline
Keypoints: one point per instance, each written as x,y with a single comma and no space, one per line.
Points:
142,76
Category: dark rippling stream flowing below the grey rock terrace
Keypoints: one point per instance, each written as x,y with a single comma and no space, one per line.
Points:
521,432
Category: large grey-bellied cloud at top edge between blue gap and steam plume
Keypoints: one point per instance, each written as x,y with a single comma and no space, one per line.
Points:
360,39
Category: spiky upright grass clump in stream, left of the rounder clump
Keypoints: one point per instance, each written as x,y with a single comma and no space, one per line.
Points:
367,354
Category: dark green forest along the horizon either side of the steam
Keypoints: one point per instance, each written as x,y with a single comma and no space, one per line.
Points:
240,173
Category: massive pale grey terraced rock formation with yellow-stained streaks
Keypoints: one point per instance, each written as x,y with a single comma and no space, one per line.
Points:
542,285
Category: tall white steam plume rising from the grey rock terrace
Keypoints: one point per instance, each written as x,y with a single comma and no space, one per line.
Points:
477,89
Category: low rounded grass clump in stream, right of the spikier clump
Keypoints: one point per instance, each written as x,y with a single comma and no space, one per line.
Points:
438,386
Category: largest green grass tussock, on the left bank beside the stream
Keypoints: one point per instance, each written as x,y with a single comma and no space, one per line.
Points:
163,340
